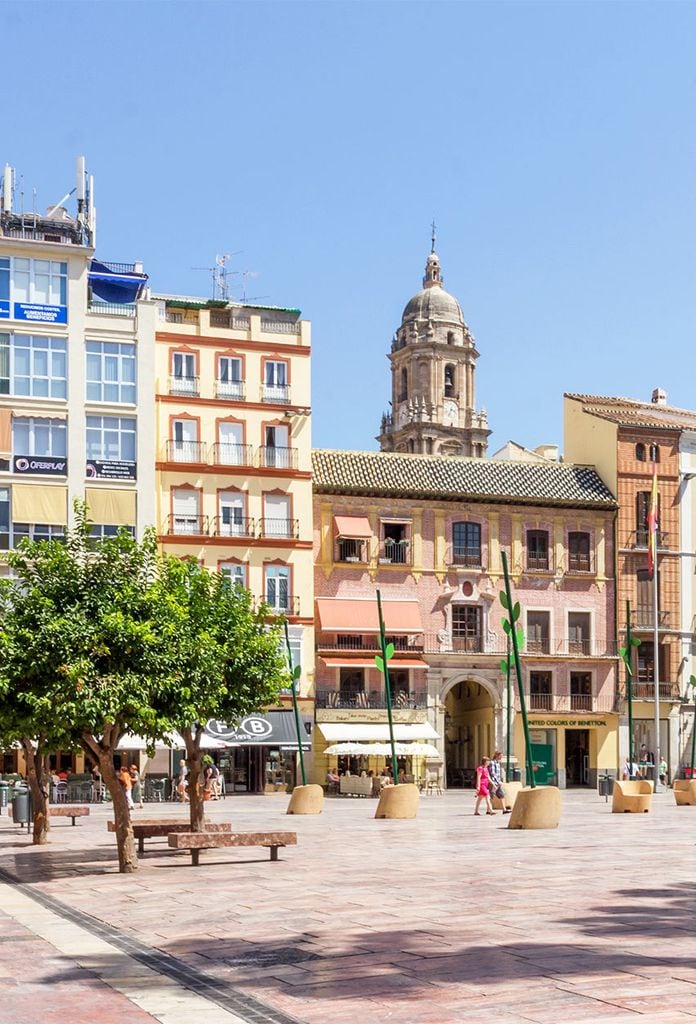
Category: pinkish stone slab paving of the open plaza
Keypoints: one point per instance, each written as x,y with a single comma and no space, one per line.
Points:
446,919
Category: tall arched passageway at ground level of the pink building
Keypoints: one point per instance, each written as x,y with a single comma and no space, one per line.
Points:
472,724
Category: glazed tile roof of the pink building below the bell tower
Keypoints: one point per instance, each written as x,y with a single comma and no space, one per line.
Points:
436,478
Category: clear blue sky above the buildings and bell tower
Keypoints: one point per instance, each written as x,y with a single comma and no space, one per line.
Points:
554,144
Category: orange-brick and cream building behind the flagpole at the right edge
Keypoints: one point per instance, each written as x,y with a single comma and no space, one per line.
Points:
627,441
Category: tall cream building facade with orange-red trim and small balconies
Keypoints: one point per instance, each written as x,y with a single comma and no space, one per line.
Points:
234,461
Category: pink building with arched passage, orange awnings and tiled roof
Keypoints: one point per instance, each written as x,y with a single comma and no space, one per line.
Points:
429,532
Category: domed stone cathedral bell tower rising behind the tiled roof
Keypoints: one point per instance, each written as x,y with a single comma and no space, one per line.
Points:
433,362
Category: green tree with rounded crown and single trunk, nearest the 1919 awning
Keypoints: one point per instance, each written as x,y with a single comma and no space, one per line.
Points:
224,658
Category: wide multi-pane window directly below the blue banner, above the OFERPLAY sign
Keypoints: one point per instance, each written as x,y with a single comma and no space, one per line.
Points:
33,367
